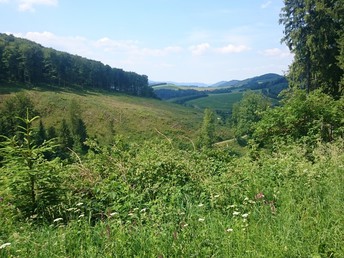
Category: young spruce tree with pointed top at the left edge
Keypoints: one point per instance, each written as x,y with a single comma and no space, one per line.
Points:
30,183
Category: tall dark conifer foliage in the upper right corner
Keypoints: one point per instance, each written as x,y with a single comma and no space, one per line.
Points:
312,30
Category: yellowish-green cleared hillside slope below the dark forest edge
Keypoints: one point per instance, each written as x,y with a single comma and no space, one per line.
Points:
137,118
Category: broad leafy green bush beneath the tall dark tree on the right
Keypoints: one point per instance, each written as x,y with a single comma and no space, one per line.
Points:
304,118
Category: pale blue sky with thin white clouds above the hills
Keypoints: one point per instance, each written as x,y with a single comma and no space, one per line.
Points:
168,40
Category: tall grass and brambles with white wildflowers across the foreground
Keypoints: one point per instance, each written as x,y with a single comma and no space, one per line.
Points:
176,203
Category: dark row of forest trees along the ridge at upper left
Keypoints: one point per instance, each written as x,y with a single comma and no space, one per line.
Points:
27,62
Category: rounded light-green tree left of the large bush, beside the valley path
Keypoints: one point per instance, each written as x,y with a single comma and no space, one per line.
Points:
249,111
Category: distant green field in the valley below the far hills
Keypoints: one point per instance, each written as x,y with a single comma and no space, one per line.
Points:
223,102
